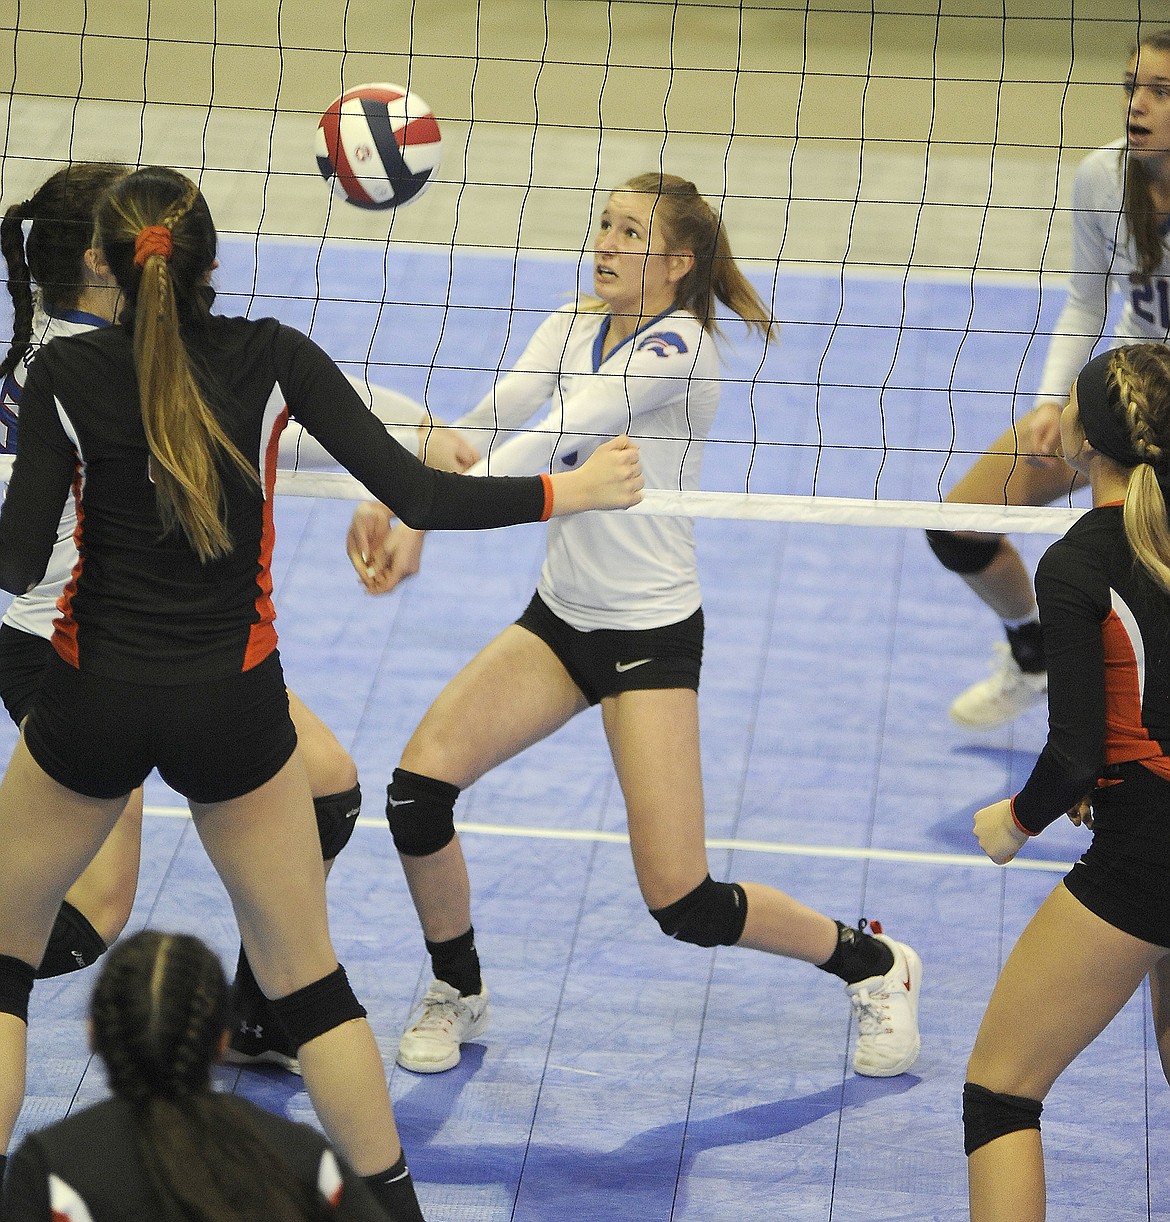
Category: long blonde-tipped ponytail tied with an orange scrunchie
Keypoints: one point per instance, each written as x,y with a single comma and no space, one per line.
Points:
166,285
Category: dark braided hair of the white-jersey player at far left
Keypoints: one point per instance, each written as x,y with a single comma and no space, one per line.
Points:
62,214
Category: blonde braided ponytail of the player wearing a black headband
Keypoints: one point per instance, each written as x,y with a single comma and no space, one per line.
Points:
1142,376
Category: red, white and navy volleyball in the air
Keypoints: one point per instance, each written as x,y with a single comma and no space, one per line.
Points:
378,146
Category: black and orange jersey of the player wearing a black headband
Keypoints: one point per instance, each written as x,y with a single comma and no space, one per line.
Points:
1107,638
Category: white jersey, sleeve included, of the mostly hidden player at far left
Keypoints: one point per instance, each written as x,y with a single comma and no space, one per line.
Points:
36,612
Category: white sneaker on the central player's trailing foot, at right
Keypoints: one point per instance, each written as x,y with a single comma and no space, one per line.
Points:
887,1010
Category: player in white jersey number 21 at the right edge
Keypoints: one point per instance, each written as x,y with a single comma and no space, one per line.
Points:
1120,213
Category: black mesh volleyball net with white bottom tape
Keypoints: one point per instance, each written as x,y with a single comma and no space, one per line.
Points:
894,179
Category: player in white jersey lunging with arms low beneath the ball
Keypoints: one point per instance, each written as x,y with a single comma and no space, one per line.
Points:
617,621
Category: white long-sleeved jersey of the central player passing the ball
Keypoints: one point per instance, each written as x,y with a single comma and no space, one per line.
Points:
609,570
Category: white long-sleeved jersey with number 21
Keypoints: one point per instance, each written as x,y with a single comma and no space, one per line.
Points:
1103,261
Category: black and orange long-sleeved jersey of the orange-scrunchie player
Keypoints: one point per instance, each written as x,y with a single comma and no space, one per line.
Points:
141,606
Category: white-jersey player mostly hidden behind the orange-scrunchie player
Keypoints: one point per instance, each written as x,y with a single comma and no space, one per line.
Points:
72,298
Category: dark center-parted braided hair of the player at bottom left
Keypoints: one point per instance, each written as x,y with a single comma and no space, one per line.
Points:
158,1014
